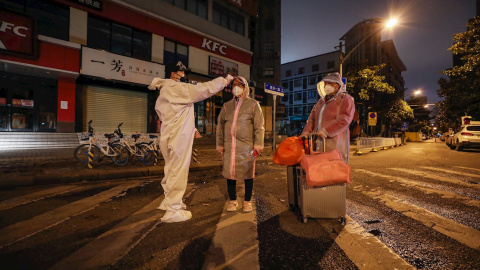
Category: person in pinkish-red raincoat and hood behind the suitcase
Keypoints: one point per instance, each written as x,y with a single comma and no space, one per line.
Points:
332,115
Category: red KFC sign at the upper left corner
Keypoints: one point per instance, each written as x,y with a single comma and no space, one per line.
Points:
16,33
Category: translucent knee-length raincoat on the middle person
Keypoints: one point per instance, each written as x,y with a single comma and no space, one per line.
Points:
240,130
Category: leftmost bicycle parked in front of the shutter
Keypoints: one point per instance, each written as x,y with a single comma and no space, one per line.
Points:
90,152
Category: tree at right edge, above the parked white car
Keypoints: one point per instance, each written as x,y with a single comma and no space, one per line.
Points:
461,91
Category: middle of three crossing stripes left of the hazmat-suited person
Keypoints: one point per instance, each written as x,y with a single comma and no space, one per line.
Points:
30,227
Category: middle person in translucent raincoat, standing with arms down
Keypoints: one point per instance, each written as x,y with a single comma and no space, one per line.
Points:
240,135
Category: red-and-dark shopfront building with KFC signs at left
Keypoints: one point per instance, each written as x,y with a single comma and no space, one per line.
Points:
63,63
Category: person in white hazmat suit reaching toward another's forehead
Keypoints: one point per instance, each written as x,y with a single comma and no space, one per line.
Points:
175,109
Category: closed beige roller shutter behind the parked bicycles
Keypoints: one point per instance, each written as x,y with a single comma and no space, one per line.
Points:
108,107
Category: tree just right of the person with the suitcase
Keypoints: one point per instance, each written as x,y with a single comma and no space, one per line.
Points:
370,90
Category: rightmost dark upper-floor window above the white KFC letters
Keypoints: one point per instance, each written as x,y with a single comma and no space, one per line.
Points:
228,19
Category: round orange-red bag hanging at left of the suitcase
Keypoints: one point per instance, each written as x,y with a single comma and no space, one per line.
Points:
289,152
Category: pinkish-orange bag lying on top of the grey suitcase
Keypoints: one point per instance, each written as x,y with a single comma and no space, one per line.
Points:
324,169
